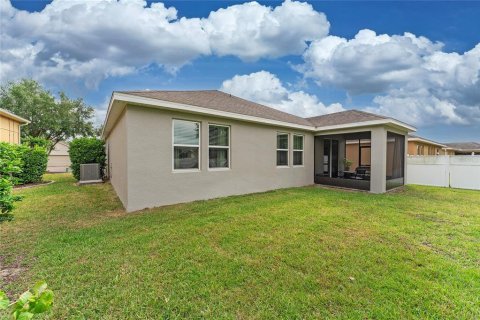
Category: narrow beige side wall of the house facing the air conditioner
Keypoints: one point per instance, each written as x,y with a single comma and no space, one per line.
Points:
116,148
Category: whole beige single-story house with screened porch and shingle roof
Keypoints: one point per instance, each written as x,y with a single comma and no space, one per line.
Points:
168,147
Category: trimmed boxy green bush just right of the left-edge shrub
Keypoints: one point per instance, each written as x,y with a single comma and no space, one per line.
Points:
34,164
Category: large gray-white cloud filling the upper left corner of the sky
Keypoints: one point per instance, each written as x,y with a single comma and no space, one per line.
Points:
92,40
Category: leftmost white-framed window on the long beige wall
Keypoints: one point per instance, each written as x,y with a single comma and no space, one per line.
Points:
186,145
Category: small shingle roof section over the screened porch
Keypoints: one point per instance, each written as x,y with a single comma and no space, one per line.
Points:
344,117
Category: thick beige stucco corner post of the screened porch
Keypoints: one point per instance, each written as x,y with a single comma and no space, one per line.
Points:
378,169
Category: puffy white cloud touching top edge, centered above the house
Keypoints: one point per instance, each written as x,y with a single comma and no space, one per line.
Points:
251,30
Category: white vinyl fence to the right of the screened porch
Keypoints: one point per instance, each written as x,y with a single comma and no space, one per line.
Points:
444,171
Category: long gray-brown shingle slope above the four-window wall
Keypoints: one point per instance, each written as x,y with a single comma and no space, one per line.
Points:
221,101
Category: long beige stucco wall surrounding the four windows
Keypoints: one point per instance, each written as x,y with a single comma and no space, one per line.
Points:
152,181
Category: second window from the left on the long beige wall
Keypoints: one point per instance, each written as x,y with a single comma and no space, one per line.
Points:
218,146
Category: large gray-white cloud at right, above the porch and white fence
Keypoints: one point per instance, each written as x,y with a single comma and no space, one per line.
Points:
412,77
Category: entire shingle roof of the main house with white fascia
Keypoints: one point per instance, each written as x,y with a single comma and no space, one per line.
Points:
221,104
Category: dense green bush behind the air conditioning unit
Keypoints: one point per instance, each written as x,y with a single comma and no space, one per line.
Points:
86,150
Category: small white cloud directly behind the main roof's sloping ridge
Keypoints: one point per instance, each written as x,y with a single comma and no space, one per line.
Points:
265,88
